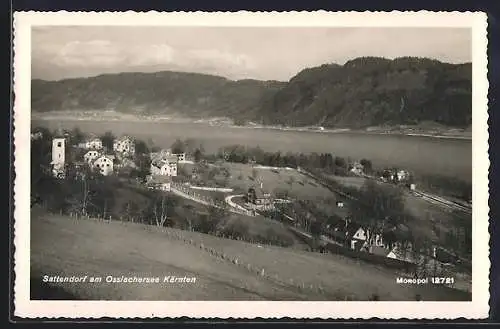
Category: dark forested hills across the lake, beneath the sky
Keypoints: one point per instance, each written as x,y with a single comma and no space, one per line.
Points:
364,92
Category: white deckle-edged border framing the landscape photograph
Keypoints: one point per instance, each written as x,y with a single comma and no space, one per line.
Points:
477,308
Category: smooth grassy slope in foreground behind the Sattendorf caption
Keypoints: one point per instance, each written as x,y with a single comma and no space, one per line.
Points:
64,246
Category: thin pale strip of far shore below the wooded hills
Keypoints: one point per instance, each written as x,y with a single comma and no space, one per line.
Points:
225,122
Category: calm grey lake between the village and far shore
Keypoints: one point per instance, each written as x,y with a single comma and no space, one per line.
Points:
424,155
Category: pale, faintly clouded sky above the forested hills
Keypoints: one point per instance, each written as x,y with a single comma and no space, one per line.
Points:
264,53
